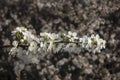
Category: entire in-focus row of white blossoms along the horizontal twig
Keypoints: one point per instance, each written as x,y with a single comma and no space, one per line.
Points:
51,42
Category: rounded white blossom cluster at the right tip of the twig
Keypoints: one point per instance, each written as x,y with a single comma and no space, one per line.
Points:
93,43
